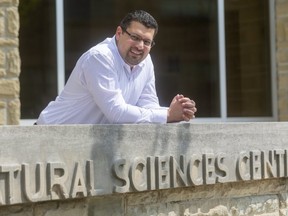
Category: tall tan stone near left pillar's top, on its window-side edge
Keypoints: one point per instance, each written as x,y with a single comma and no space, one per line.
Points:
13,21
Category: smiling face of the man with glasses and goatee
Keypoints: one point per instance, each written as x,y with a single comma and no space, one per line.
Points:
133,42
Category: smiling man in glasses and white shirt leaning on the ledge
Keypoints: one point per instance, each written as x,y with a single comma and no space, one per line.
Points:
114,83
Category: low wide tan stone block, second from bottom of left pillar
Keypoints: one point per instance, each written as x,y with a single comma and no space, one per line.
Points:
9,87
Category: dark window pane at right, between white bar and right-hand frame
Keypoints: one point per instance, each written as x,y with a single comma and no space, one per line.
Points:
248,66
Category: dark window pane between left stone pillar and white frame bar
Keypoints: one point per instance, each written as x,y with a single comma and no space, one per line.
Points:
38,78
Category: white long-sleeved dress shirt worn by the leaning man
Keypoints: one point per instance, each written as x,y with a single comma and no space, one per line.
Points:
102,89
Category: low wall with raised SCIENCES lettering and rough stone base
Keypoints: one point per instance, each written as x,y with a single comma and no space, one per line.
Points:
145,169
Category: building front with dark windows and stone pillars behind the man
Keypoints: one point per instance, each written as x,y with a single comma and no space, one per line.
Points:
229,56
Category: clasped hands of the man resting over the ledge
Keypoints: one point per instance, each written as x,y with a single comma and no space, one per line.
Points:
181,109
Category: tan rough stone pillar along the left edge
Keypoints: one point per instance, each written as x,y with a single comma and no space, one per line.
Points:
9,63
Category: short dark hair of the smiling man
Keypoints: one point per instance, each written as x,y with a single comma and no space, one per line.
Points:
142,17
